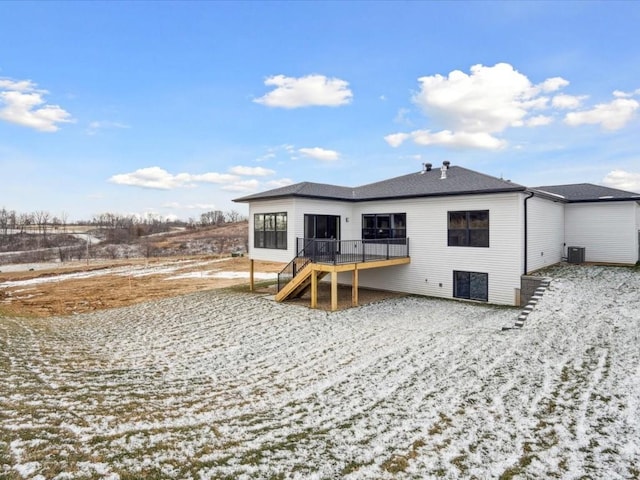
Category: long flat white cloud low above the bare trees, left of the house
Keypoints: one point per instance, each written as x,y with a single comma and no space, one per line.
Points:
159,178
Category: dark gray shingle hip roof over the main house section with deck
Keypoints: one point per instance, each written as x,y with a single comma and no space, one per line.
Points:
459,181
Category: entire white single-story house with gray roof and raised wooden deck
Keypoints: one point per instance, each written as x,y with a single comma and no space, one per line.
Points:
452,232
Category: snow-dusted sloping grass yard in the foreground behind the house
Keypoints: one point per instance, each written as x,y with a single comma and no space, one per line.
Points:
228,385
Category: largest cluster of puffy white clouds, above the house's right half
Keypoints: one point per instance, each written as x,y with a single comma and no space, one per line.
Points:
472,110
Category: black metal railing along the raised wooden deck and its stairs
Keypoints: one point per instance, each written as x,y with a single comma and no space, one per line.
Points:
336,252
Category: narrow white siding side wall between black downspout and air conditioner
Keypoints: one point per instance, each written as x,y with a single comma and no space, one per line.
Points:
545,220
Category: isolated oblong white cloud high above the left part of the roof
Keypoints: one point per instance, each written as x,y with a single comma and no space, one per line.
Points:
311,90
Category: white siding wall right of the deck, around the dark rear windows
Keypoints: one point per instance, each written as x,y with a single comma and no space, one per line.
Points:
433,262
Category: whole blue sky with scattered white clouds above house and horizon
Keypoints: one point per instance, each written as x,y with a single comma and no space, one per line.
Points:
174,109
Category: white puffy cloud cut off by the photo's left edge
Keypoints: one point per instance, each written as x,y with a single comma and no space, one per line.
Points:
22,103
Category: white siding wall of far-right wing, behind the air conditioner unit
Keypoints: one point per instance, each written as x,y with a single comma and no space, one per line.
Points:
607,231
